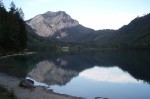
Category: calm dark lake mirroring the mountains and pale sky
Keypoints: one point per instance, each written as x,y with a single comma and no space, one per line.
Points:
116,75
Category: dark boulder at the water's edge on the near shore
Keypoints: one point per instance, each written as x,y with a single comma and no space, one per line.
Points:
27,83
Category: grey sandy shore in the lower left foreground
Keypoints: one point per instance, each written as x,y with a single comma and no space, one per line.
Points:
12,85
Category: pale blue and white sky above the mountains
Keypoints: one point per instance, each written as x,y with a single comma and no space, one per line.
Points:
96,14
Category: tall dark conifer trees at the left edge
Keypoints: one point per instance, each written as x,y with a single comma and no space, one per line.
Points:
13,36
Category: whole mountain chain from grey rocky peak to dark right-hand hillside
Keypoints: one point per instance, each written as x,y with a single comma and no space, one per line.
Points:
61,27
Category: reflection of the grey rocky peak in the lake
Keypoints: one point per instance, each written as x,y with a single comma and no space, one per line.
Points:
48,72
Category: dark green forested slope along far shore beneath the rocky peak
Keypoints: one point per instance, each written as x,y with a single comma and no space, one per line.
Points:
38,43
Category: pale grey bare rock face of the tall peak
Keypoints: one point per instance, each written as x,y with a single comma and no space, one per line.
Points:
50,22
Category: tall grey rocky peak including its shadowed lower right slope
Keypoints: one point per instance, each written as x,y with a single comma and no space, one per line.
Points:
57,25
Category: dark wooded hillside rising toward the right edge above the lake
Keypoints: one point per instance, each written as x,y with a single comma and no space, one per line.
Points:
135,35
